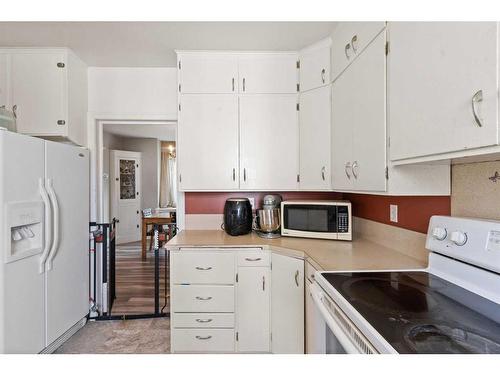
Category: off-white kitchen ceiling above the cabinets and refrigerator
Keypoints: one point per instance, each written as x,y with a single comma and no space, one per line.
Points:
152,44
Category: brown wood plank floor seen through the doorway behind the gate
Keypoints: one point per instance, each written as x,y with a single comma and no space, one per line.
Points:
135,281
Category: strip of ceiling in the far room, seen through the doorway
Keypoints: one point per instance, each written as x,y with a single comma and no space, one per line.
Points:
163,132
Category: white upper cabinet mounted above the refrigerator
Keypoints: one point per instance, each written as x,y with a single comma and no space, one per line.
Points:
48,89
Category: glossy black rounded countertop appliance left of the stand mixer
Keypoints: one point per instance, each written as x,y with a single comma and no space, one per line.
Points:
237,216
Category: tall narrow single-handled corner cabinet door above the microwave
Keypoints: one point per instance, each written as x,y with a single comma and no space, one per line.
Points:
315,125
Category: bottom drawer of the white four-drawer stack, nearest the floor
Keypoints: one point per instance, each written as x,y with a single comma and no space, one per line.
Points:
202,340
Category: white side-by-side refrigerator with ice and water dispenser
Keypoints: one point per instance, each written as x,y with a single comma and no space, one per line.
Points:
44,218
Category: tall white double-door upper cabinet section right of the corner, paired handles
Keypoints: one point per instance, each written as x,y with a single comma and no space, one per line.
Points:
358,124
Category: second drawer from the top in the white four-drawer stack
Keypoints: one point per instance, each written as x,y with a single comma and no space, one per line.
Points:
202,298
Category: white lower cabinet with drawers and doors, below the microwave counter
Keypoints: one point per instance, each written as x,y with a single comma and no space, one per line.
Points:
259,310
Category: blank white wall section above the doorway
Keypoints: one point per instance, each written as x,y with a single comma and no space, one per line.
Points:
135,92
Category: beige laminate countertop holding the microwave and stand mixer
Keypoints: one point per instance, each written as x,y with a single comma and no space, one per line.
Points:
328,255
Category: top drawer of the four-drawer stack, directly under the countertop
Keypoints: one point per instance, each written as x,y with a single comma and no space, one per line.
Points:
202,267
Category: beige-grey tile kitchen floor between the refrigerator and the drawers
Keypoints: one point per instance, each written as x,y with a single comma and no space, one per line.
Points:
139,336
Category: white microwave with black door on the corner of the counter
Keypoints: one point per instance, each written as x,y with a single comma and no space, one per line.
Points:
331,220
